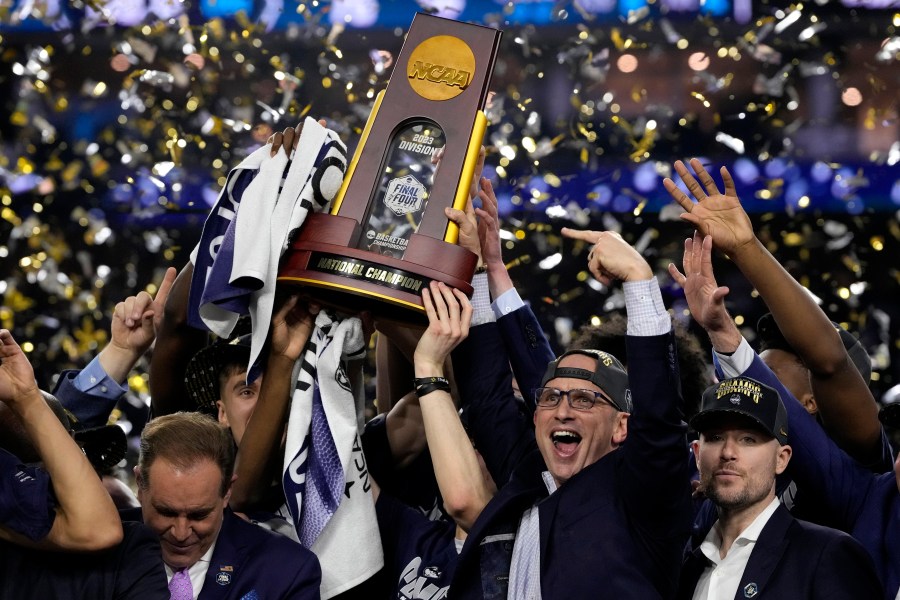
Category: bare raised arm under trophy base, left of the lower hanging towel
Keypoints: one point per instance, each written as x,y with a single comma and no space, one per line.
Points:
258,460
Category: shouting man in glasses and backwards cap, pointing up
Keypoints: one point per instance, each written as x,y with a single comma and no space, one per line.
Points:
576,498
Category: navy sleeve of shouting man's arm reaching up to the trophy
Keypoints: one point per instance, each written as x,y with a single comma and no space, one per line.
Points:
502,431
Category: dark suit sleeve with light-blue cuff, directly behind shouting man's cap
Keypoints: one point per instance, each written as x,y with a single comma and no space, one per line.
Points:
528,350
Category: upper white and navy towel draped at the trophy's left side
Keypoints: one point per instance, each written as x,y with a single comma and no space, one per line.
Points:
249,229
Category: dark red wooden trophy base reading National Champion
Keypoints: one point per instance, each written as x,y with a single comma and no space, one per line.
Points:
353,280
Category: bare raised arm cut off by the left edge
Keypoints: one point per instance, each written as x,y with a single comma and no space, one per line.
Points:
86,518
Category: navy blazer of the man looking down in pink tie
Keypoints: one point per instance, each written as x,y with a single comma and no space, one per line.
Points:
252,563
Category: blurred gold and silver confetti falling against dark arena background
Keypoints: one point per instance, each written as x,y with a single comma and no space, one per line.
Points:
121,119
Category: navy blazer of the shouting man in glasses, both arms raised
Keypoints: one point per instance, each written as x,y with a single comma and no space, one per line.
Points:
615,530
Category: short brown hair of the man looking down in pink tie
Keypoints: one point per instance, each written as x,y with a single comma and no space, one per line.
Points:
185,439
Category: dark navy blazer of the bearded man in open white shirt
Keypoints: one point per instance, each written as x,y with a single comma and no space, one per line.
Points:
793,560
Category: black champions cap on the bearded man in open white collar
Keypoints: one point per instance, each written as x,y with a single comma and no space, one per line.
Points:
744,397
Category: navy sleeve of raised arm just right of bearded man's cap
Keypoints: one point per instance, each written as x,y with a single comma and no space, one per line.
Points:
817,464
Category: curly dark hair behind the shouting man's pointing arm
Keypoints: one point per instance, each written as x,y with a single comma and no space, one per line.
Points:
694,364
